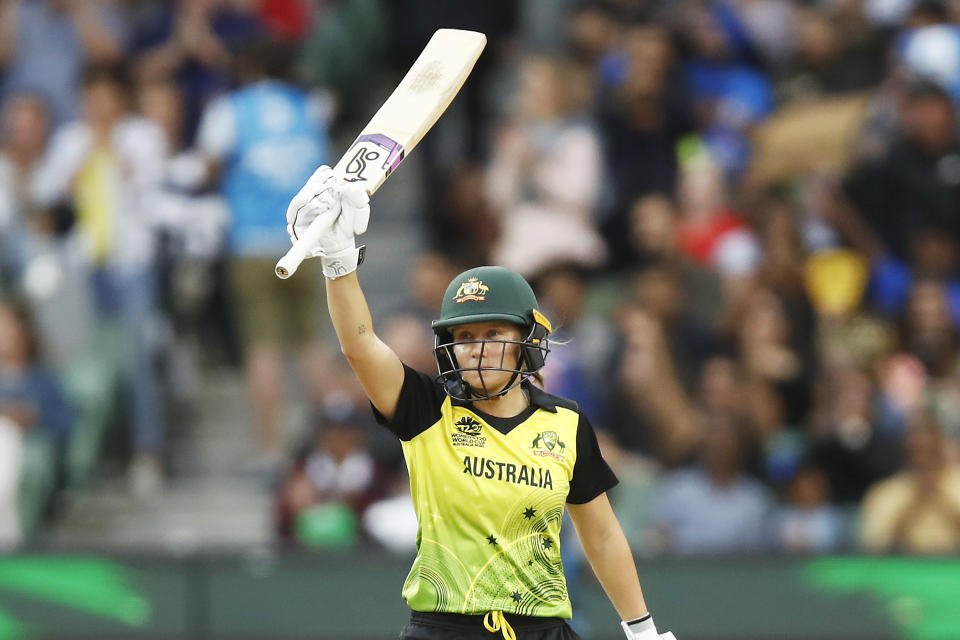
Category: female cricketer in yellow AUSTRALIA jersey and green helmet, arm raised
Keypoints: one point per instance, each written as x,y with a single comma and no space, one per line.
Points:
493,459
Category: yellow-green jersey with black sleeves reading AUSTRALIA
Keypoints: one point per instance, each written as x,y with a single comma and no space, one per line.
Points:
489,495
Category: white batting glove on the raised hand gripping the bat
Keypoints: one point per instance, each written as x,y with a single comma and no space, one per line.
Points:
347,206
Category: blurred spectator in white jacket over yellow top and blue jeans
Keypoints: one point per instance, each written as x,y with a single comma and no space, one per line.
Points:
108,166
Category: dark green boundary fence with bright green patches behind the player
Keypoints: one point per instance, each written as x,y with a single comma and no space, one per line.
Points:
355,596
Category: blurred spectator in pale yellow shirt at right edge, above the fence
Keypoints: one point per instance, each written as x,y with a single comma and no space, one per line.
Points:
918,509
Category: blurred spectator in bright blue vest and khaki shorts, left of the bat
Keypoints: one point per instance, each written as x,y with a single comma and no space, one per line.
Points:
263,141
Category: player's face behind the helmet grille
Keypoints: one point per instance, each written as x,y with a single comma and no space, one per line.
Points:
487,361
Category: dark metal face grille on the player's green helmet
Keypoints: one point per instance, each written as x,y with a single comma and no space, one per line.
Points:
533,350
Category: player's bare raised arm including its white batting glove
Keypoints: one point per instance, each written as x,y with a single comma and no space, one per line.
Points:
347,211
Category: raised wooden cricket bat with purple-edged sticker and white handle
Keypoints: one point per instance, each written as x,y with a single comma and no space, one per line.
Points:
413,107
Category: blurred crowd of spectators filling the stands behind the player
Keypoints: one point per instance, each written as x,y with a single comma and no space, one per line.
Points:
743,216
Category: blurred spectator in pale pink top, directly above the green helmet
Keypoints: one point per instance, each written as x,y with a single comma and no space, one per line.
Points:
545,174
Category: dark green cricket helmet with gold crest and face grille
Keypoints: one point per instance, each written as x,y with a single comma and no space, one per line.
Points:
490,294
